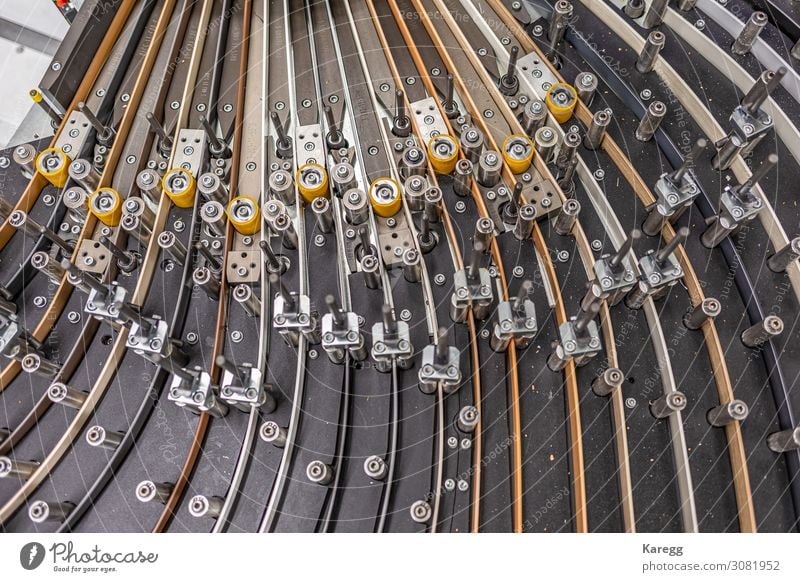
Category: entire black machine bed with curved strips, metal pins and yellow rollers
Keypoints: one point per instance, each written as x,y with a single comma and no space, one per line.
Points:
405,266
